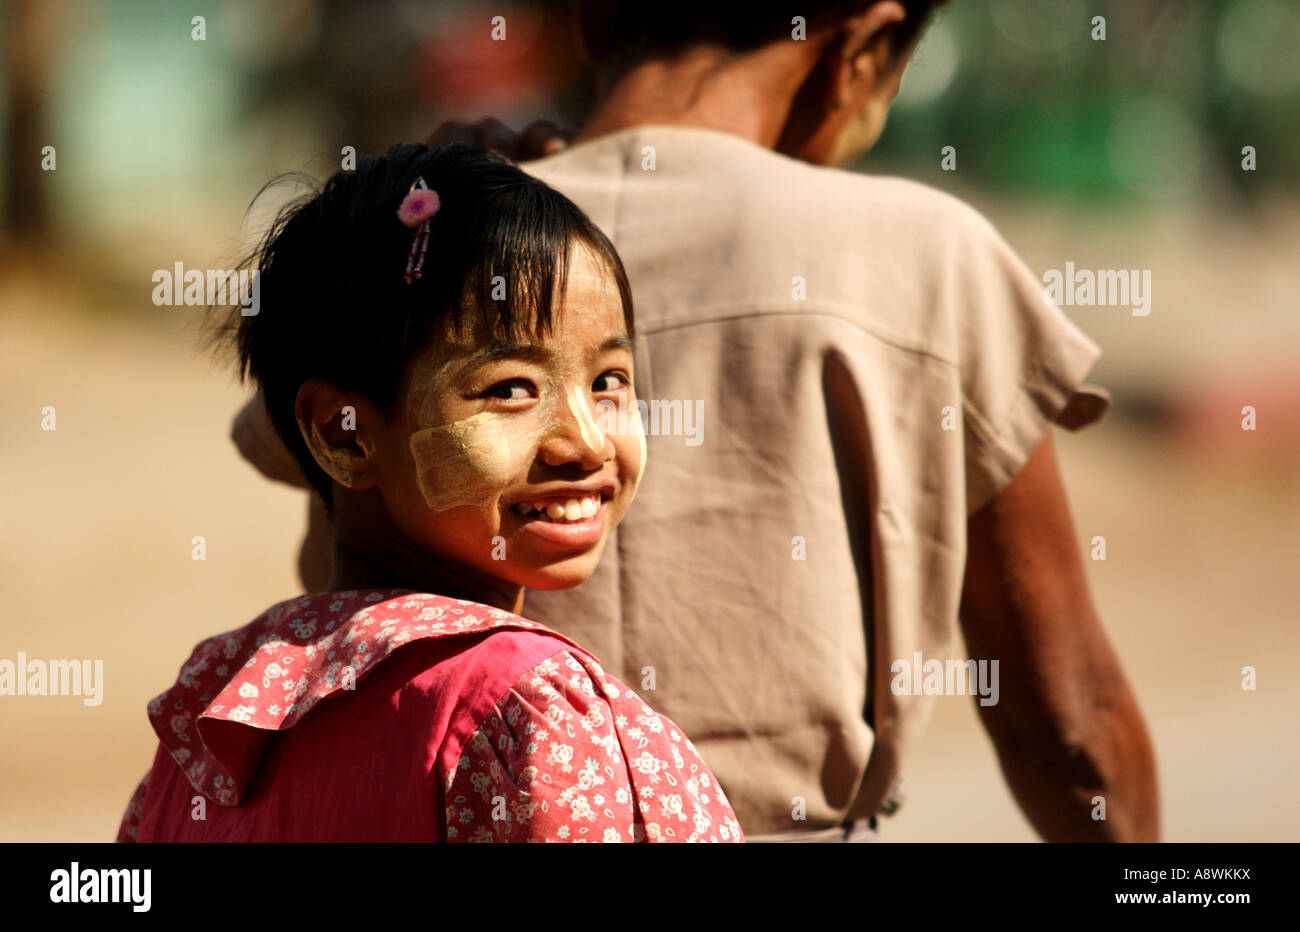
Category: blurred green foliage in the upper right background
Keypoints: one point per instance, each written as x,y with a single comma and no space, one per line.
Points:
1162,109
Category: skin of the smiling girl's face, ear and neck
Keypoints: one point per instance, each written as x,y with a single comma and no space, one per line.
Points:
426,500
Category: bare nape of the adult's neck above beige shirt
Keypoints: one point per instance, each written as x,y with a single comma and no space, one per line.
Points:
748,97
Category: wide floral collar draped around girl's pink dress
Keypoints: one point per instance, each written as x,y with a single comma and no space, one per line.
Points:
271,673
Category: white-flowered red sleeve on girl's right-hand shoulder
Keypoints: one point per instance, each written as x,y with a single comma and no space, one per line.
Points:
571,755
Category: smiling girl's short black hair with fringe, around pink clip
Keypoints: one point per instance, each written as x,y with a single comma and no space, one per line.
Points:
333,302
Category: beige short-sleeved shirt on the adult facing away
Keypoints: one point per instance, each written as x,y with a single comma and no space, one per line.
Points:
861,365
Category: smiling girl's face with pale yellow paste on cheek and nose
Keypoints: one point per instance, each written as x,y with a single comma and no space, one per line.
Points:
497,462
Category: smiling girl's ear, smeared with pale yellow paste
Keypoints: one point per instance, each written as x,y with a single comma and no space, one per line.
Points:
340,430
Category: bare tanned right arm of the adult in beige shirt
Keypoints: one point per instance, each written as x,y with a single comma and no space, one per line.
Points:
1067,726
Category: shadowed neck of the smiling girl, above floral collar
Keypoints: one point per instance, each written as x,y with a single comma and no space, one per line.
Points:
372,553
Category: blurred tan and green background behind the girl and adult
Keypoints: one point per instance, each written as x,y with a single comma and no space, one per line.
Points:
1117,154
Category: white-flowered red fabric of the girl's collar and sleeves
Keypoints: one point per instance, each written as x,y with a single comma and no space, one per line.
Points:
553,761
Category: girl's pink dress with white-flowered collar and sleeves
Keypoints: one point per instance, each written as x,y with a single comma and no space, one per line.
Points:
484,727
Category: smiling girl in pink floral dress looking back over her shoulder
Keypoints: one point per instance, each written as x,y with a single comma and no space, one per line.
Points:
436,337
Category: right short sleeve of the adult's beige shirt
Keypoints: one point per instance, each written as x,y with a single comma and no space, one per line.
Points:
1022,361
